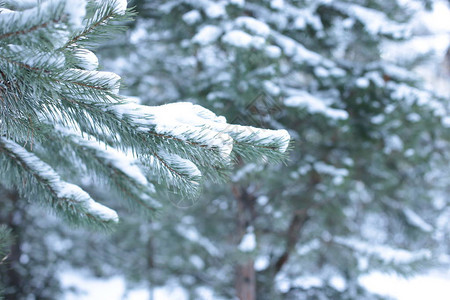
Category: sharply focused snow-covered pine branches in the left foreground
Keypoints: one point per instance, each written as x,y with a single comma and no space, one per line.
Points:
61,119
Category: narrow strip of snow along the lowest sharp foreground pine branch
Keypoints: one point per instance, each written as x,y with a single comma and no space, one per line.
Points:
65,197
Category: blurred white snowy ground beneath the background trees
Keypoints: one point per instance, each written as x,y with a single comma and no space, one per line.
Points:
434,285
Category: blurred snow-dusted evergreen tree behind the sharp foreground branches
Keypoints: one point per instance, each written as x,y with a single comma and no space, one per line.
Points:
358,193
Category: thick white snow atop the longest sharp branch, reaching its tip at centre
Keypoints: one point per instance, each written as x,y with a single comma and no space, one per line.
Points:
193,122
